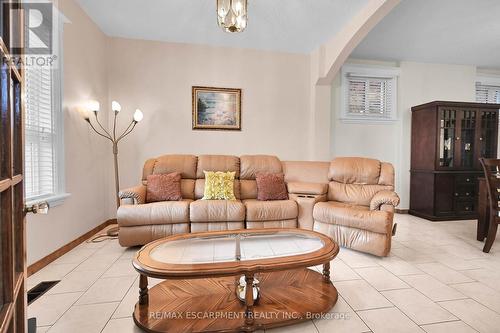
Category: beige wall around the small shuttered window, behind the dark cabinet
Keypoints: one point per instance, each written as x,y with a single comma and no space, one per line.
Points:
418,83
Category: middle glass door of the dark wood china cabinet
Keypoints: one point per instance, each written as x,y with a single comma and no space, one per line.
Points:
467,137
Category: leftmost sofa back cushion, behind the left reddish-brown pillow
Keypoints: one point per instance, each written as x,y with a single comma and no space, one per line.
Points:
185,164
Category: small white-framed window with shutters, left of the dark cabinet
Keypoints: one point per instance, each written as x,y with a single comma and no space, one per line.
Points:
369,93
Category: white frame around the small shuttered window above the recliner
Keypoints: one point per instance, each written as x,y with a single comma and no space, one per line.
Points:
366,71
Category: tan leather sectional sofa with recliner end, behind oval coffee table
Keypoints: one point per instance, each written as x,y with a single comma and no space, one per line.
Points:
350,199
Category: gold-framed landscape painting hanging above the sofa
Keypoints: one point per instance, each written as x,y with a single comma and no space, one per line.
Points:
216,108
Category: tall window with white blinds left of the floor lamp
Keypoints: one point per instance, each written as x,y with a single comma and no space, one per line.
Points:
43,148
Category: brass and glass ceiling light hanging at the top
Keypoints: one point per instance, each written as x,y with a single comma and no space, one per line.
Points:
232,15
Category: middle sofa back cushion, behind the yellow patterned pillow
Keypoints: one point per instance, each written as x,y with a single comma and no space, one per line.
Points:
216,163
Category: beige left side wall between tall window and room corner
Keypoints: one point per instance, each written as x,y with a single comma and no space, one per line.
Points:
87,156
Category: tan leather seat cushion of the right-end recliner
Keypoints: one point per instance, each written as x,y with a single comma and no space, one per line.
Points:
359,217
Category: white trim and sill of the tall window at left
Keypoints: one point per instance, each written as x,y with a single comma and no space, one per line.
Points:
57,82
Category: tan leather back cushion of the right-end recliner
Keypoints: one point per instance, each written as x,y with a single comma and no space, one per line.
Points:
355,180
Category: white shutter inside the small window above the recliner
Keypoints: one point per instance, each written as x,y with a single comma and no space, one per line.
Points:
370,97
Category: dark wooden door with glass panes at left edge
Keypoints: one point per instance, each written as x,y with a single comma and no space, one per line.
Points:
12,222
